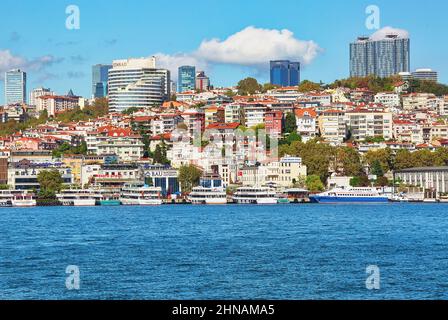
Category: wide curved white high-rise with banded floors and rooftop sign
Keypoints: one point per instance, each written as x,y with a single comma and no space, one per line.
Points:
137,83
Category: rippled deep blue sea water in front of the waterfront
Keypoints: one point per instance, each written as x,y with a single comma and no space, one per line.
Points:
226,252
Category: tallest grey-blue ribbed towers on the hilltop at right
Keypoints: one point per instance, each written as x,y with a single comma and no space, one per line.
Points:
382,58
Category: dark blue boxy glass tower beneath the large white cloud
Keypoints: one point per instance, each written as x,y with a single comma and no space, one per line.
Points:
285,73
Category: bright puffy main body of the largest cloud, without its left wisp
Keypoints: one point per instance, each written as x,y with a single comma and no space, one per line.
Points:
254,46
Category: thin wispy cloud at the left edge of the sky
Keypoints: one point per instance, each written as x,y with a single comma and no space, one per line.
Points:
9,61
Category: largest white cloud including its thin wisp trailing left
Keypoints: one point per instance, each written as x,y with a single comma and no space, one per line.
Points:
250,47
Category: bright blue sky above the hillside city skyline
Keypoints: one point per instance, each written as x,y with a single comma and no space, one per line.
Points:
35,38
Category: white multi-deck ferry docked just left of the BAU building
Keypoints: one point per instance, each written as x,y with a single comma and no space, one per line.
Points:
140,195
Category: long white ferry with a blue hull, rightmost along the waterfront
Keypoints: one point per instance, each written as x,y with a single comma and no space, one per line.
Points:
350,195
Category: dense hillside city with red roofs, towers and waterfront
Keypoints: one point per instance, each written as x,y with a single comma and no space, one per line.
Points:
146,138
